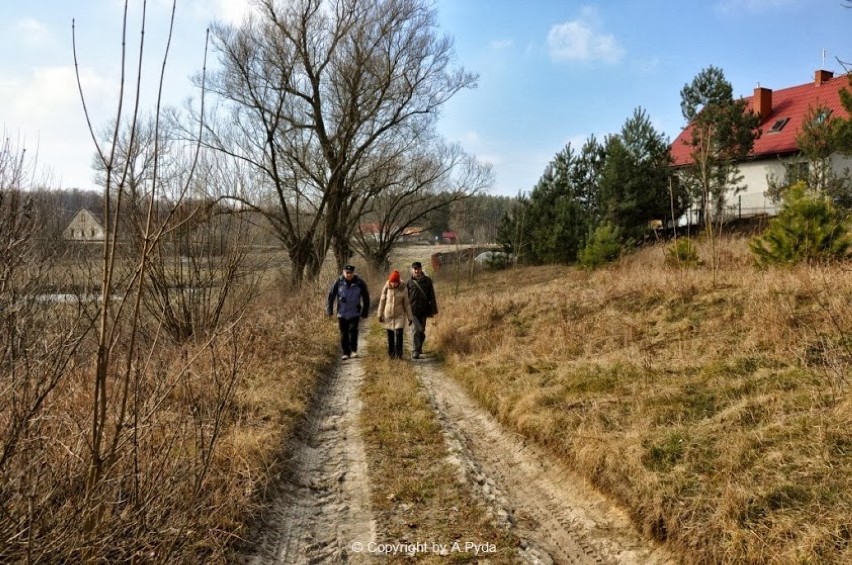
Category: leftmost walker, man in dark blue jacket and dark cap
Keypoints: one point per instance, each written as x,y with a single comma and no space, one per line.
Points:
353,303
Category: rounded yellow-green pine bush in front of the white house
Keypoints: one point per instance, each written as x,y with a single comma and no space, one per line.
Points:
809,228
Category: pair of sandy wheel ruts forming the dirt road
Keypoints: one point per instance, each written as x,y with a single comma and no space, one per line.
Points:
322,513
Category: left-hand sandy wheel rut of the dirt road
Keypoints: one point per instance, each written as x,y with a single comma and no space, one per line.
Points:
321,506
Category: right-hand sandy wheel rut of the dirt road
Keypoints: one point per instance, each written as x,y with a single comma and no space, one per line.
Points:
558,517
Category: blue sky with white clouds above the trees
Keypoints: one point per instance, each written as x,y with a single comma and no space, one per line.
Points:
551,72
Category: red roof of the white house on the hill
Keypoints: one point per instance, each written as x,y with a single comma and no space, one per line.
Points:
792,103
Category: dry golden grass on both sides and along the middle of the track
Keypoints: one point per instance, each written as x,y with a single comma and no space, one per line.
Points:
717,410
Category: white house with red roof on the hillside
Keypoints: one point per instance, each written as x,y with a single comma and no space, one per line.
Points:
775,153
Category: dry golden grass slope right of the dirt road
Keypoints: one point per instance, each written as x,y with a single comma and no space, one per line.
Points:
719,415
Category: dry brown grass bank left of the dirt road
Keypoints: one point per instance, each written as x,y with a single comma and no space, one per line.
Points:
174,494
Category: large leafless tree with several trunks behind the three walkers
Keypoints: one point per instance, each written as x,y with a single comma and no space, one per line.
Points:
321,96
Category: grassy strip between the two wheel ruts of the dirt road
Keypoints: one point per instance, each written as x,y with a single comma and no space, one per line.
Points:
417,493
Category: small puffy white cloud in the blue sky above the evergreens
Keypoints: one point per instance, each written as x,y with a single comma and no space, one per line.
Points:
581,40
